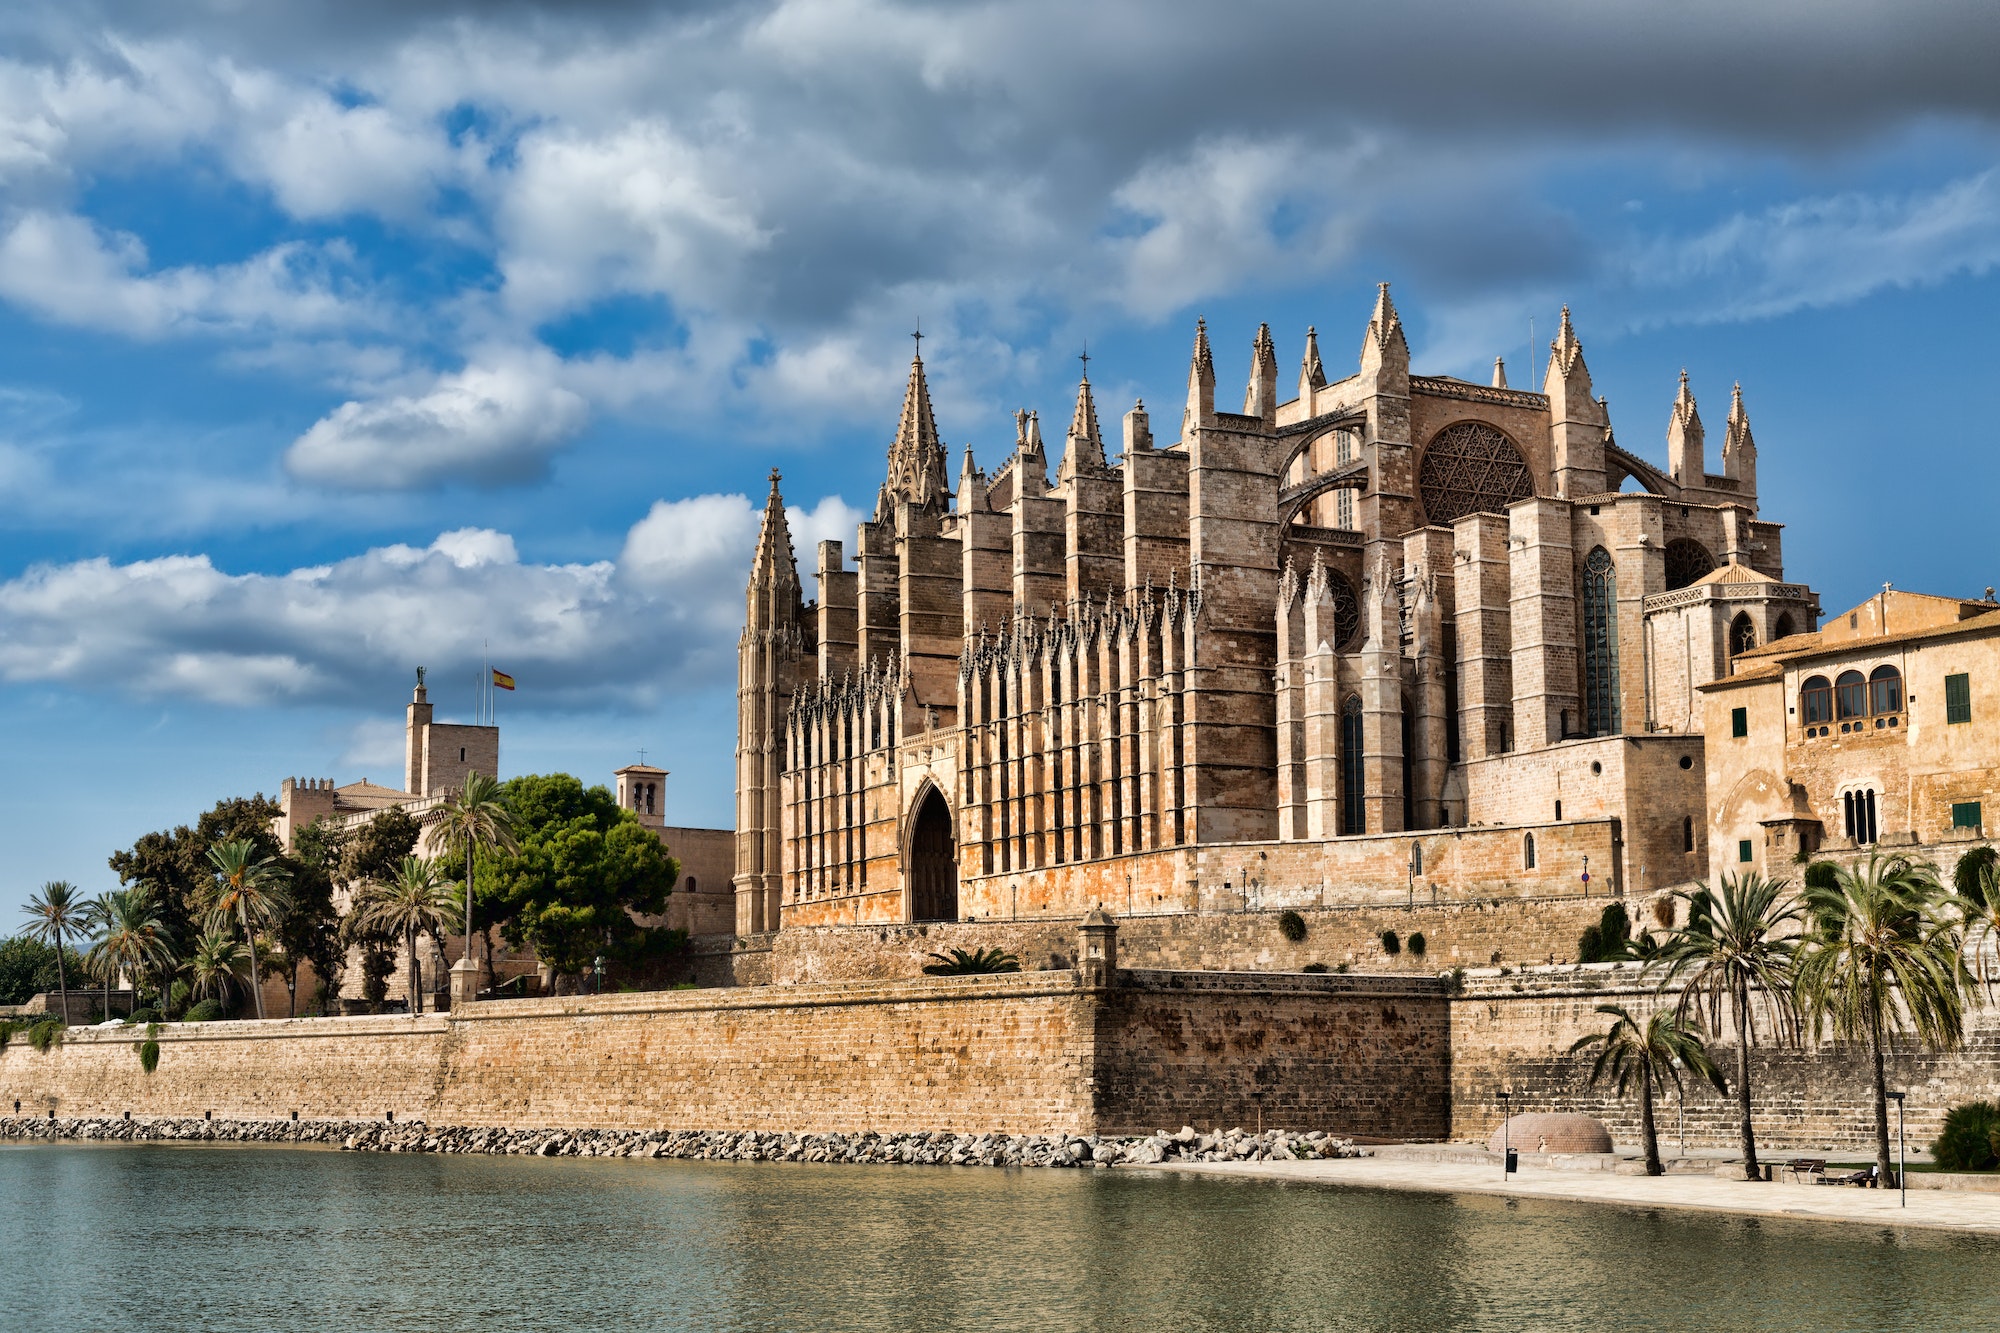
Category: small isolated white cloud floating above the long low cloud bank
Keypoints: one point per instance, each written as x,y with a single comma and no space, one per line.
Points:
487,425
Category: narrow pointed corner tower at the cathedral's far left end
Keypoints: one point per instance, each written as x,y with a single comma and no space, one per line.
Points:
769,668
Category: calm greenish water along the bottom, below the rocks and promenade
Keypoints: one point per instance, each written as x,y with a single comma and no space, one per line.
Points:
201,1238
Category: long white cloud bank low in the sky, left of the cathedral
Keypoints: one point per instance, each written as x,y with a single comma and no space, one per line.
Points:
657,619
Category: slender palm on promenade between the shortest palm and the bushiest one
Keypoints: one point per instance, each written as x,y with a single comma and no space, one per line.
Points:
1735,950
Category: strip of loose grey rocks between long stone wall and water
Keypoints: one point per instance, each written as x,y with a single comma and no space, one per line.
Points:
917,1150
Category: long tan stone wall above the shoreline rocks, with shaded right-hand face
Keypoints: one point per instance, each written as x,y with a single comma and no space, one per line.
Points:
1015,1054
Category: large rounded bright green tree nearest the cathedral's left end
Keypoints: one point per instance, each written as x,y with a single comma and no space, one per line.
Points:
581,874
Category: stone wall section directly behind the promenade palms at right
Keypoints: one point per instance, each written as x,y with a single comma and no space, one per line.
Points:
1515,1034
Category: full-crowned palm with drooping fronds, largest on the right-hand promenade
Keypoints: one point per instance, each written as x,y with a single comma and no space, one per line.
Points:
1883,962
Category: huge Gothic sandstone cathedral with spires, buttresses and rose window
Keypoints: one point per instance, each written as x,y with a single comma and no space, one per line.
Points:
1383,635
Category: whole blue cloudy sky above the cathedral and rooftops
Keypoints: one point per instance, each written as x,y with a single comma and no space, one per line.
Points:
339,339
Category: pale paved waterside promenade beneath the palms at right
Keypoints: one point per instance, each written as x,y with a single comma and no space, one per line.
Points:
1941,1210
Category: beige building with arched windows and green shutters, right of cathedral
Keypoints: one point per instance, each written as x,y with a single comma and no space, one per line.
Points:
1873,732
